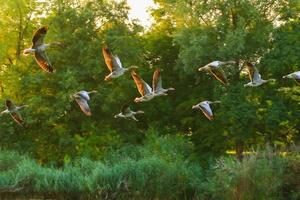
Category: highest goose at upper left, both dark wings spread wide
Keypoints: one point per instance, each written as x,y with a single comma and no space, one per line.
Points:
38,48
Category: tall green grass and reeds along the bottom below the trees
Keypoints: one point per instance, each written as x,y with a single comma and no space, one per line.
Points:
162,168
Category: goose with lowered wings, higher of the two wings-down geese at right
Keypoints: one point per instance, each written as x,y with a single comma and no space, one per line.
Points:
215,69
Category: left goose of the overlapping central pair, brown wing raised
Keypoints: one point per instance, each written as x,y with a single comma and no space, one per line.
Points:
144,89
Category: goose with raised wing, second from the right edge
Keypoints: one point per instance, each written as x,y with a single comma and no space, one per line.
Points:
255,77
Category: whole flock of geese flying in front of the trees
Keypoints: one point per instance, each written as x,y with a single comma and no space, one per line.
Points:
116,69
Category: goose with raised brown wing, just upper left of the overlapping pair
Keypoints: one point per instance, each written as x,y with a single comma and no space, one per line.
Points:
114,64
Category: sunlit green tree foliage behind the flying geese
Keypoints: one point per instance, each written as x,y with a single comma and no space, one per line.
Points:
187,34
